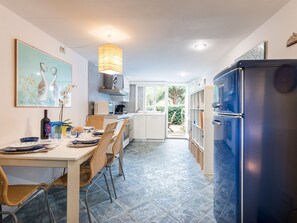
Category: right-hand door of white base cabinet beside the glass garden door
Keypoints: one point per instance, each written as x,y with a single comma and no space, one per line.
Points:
155,126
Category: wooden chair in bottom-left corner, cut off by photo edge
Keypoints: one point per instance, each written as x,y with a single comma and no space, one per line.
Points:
18,195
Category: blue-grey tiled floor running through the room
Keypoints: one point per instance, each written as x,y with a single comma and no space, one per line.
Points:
163,185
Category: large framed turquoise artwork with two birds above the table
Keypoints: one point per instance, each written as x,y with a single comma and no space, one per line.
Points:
40,77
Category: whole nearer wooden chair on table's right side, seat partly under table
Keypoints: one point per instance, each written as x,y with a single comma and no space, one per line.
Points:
91,171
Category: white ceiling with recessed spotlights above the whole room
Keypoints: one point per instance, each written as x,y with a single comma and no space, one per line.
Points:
162,32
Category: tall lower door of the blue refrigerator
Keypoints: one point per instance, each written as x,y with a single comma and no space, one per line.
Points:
227,168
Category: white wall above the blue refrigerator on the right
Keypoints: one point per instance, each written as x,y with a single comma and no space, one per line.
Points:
276,31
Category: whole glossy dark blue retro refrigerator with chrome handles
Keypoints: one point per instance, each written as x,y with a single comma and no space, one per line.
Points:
255,142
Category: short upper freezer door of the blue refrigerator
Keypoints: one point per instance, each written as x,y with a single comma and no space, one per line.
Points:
228,92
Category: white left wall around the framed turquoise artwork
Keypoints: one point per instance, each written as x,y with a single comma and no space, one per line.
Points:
18,122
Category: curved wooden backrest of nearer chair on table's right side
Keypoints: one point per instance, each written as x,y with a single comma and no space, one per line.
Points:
98,160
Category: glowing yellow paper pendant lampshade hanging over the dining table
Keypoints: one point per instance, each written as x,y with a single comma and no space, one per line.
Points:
110,59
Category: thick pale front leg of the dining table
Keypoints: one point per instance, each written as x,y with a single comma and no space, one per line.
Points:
73,179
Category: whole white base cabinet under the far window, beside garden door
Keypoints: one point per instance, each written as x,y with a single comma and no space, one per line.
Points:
149,126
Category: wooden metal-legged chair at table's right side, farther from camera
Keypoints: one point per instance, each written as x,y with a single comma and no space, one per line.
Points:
115,154
